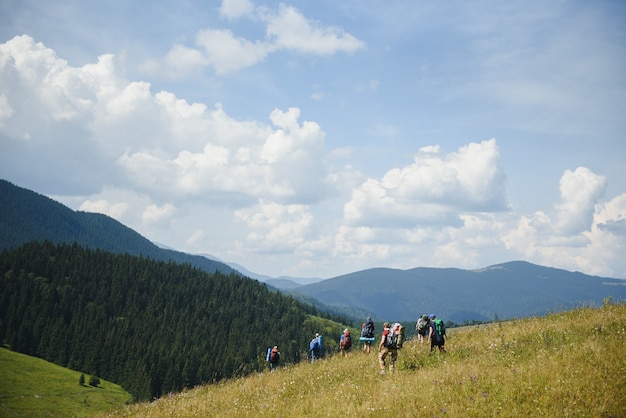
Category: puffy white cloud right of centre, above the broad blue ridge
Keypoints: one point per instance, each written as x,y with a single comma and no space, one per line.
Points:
434,188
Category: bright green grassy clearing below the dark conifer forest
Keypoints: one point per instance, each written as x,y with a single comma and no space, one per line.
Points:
31,387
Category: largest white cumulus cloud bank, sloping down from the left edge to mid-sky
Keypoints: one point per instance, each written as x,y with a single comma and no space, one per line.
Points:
162,144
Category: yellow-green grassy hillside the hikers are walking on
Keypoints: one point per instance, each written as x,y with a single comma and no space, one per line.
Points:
570,364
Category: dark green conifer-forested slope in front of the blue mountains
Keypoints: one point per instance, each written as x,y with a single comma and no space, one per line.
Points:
152,327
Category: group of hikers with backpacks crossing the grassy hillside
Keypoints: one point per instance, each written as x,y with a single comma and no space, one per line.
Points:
428,328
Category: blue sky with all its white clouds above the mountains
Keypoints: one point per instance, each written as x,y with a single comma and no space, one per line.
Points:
315,139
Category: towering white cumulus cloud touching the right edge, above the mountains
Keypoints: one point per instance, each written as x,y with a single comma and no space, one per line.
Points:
580,233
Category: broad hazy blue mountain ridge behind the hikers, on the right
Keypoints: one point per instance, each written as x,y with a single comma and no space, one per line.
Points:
510,290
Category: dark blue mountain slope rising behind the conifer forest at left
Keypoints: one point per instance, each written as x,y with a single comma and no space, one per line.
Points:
28,216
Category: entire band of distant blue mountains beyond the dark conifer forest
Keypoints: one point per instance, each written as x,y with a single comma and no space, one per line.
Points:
508,290
